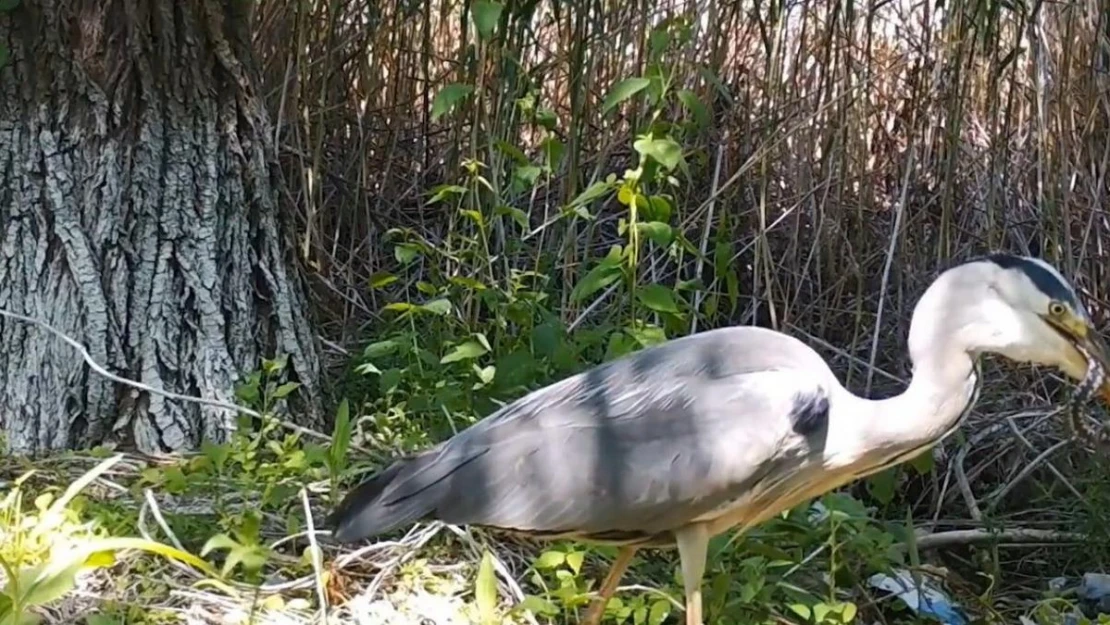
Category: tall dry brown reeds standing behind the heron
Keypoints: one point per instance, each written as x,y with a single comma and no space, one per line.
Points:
983,126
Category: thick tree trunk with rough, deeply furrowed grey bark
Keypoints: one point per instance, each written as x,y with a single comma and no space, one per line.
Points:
139,216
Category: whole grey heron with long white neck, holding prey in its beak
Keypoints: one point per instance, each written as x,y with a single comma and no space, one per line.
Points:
722,430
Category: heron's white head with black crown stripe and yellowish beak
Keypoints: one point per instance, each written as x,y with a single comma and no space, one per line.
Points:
1042,320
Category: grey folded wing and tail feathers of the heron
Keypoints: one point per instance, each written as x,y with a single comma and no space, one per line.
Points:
637,447
